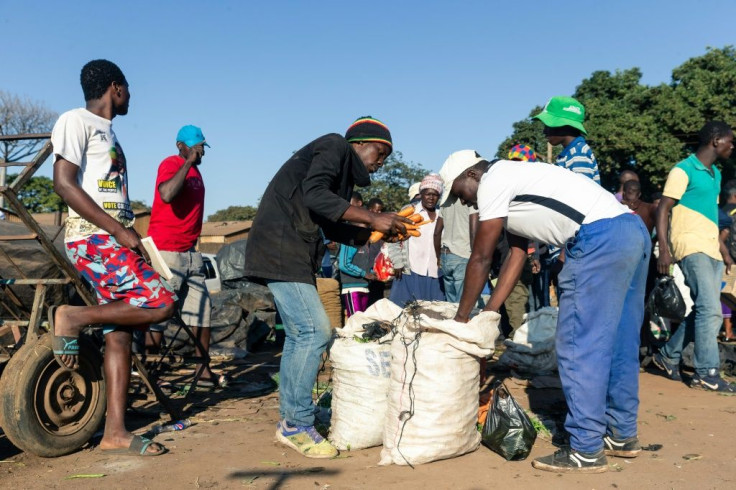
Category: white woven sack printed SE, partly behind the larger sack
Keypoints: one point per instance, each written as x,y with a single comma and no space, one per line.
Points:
361,376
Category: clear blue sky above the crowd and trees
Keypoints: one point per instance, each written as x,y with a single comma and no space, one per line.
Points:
263,78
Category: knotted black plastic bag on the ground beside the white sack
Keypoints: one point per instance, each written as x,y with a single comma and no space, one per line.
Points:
508,430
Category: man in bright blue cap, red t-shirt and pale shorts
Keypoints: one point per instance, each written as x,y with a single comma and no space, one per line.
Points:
176,223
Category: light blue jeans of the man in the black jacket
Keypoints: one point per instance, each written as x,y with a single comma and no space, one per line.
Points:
307,331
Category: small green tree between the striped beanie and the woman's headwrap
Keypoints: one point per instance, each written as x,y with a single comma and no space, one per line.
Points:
391,183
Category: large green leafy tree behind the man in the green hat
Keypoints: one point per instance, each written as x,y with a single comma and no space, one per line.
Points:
647,128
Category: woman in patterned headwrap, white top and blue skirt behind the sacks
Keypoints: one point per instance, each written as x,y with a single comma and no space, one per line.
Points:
415,260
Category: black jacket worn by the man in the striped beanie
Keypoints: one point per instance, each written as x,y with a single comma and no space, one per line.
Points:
311,191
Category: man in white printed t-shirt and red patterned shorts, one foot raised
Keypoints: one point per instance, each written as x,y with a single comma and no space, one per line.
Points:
90,174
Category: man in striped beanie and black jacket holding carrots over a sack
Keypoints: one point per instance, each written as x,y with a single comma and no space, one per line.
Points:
308,197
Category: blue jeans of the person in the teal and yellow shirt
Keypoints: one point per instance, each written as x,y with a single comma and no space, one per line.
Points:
703,276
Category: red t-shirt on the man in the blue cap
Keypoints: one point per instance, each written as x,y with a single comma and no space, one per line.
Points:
175,227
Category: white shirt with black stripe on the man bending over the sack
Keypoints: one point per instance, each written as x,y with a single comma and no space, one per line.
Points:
543,202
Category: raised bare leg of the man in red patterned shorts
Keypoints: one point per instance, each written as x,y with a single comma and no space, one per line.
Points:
69,320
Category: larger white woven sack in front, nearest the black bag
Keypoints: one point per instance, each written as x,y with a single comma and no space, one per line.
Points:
435,374
